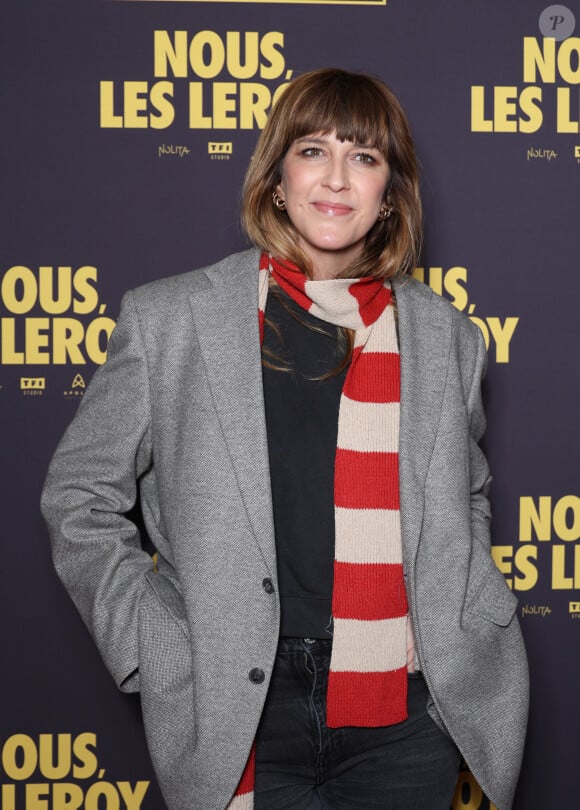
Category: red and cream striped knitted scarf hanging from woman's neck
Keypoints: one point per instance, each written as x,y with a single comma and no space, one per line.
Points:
367,683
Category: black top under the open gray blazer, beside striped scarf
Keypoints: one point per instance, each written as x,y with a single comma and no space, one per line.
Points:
302,423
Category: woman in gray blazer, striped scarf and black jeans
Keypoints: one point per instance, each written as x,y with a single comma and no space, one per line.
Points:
300,423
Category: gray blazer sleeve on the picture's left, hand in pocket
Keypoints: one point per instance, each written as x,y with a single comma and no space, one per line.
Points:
92,483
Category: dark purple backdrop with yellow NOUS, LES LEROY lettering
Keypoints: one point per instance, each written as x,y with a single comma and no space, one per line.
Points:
126,130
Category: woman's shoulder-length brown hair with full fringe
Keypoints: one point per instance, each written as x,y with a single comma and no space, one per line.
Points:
358,108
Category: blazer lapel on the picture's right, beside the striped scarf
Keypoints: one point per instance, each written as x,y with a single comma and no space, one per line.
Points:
424,335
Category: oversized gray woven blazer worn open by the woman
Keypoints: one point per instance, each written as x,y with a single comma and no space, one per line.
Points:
177,412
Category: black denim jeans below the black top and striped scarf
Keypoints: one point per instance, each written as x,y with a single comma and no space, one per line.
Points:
304,765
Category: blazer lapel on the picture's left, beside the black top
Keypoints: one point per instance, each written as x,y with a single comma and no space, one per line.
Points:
225,313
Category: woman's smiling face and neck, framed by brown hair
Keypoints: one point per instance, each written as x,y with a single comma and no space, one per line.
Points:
333,192
